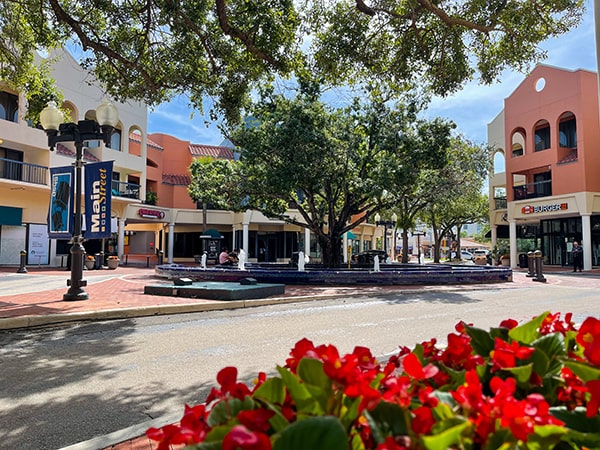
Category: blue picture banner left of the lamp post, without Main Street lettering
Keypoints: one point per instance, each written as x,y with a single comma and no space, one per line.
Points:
60,213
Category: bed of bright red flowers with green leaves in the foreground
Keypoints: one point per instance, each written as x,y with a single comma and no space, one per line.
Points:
529,386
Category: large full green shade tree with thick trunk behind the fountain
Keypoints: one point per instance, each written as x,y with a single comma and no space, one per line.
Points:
331,167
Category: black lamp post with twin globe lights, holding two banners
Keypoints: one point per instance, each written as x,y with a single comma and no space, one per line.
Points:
85,130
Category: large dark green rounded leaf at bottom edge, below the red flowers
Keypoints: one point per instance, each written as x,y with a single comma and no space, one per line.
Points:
315,433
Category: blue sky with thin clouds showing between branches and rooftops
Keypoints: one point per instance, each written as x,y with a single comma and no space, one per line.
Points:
471,109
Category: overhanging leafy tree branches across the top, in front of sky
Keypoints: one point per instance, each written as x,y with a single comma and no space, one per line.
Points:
154,50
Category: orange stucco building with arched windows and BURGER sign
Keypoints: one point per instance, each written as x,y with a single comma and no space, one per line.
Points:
549,195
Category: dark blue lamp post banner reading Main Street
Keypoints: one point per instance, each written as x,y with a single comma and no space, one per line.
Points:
98,199
